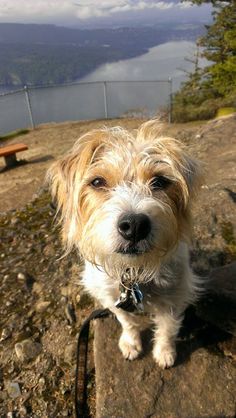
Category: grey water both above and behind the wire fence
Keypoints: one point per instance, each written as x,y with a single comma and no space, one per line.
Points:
100,100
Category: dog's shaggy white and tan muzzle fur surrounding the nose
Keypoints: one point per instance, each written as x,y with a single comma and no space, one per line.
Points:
102,245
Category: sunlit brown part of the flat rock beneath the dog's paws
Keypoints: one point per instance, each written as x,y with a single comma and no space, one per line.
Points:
201,383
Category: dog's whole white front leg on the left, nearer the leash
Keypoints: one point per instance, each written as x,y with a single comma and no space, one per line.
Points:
130,341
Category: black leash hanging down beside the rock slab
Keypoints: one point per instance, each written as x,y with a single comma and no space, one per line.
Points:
81,363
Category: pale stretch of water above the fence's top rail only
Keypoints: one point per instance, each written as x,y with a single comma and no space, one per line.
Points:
159,63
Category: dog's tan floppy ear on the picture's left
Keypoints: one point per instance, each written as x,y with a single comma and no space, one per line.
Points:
65,178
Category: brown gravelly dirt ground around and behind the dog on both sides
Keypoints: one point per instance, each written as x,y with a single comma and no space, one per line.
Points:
41,302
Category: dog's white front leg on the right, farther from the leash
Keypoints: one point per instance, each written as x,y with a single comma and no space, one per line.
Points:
167,328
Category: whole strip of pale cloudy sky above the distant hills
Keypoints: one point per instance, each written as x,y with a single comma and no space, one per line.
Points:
73,12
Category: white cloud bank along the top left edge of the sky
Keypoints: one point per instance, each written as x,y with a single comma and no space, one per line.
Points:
40,10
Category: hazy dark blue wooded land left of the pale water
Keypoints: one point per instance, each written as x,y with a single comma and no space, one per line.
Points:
46,54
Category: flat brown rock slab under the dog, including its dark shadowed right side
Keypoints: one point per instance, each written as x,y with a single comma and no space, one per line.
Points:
201,383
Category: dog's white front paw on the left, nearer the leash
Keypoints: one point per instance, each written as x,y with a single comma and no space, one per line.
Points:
130,345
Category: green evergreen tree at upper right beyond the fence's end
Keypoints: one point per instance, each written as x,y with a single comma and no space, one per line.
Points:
218,79
